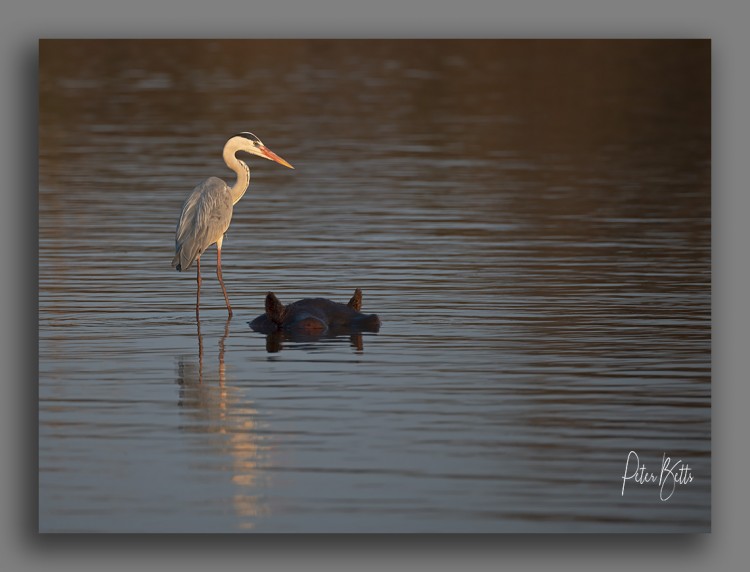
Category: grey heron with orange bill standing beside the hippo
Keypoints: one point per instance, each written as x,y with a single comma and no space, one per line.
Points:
207,211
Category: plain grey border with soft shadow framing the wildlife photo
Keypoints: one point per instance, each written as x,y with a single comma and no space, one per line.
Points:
24,24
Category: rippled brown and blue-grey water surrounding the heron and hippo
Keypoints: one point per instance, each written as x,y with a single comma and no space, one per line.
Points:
531,221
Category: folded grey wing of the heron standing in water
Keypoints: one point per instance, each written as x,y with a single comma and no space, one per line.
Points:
205,217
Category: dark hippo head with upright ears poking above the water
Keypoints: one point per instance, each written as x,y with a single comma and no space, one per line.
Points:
315,317
